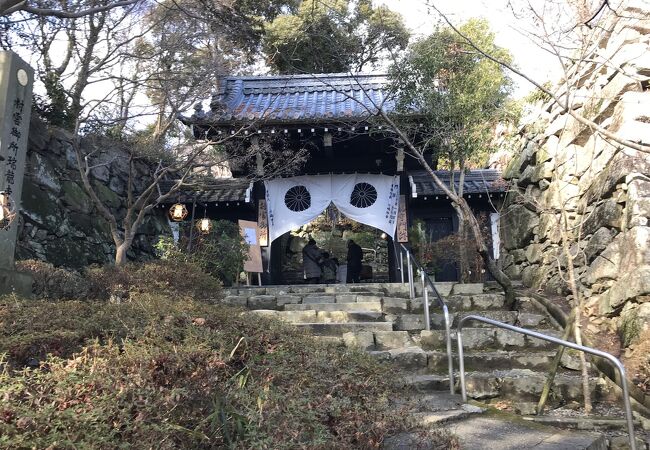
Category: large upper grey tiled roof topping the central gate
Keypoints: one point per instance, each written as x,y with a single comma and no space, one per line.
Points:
296,98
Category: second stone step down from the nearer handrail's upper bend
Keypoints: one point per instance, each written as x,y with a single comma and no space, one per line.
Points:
501,359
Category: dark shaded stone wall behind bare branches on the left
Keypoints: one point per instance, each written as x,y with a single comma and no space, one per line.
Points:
59,222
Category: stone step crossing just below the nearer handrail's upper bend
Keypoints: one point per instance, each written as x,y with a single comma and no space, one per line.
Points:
487,338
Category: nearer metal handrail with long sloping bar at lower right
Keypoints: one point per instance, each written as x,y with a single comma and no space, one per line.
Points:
582,348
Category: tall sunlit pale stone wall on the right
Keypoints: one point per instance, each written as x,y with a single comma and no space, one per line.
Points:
603,186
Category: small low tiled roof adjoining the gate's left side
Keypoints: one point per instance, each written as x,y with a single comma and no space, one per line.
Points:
212,191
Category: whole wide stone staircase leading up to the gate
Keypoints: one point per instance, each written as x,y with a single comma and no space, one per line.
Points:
501,366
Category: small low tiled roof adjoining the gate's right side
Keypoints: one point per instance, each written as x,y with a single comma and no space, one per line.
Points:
476,182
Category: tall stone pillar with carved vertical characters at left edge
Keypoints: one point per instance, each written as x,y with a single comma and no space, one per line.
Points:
16,82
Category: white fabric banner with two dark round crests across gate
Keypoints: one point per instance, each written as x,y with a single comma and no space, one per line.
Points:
370,199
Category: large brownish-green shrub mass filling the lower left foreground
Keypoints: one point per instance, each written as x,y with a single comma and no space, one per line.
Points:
186,374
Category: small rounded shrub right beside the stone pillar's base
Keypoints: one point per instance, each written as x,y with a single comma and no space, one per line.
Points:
54,283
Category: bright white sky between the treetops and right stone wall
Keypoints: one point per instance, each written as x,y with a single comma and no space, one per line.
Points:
528,56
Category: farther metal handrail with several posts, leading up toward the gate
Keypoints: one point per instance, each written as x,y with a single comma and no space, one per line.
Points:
410,259
